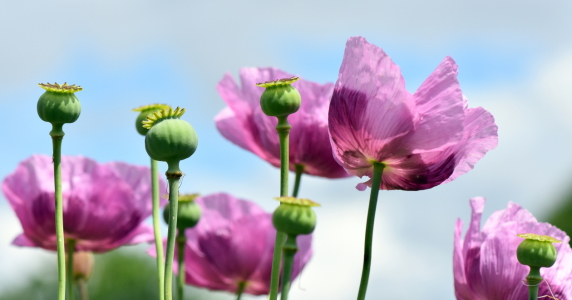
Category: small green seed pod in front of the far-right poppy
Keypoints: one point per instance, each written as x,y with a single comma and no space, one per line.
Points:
537,250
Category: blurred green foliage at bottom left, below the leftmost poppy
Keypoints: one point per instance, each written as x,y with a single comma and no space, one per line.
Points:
126,273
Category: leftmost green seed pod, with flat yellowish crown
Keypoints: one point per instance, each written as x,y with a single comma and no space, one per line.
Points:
59,105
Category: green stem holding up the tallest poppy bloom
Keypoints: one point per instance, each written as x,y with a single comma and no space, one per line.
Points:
376,182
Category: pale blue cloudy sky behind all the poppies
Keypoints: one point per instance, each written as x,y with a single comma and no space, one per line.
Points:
127,54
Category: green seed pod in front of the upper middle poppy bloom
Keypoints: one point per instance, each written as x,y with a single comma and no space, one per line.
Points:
280,98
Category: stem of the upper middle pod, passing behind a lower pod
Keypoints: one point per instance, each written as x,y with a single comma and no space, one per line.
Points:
283,129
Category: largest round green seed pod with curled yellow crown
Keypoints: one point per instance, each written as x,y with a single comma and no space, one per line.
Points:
169,138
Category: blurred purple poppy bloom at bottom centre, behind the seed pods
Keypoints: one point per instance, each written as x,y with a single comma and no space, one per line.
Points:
232,244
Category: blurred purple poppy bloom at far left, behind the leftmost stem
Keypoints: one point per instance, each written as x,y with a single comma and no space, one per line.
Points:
103,204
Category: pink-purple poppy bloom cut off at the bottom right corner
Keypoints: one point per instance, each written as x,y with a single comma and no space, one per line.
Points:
485,265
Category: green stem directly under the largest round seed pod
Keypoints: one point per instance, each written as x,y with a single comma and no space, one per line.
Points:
173,179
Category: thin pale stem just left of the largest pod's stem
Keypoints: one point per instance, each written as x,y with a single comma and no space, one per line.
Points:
157,228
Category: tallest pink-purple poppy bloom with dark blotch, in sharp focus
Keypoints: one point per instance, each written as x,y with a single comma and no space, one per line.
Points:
424,139
